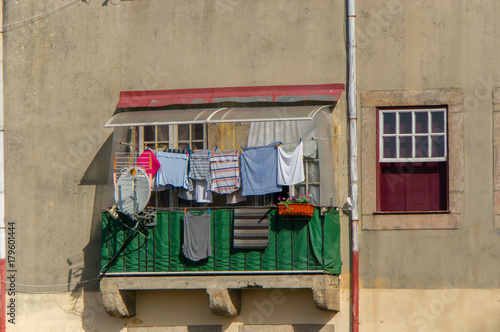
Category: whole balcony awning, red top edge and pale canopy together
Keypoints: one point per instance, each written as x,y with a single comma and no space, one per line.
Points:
281,104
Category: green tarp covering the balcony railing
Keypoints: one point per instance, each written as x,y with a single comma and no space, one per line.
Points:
294,244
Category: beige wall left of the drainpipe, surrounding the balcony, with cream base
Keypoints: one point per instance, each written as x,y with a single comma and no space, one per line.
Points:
63,74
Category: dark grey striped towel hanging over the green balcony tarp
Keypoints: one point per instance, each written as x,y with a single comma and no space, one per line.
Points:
251,228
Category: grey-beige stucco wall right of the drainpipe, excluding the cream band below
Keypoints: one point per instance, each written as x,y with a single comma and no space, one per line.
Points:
416,47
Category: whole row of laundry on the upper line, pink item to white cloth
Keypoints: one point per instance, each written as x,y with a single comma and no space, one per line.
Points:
260,170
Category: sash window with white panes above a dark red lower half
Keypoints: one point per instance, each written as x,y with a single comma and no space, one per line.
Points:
412,163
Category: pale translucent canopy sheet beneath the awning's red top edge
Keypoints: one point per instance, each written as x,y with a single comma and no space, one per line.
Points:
214,115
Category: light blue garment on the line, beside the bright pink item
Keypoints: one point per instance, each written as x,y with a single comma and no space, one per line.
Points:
173,169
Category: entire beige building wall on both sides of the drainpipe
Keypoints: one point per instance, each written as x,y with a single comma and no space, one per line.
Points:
62,76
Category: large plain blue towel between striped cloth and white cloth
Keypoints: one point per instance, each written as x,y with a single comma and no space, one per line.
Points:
259,170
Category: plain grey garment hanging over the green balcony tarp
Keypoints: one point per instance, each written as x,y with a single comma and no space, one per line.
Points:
197,244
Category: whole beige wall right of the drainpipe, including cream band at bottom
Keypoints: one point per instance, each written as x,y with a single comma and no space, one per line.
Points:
424,279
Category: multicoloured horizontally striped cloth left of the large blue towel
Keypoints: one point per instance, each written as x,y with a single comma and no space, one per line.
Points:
225,172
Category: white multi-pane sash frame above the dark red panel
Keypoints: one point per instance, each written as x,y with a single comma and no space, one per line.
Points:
413,134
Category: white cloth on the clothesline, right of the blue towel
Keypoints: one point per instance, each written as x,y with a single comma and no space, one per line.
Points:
290,164
